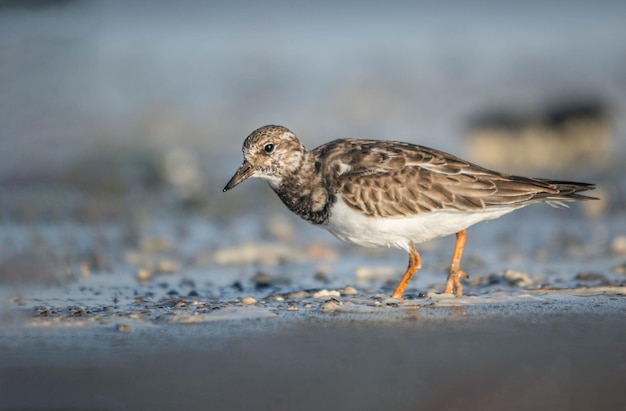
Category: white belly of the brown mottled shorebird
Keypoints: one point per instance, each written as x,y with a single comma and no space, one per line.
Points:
353,227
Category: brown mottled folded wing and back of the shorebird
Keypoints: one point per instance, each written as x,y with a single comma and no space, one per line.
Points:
397,179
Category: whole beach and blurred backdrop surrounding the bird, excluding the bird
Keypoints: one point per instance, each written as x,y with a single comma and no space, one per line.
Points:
121,122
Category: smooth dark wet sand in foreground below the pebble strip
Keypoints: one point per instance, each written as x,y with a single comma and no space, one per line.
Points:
529,355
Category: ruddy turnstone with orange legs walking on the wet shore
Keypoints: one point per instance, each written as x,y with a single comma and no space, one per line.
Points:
391,194
